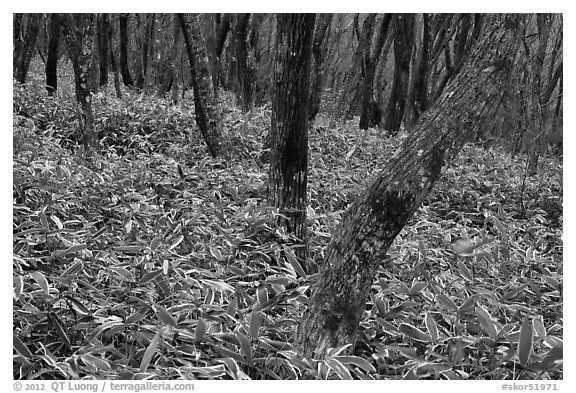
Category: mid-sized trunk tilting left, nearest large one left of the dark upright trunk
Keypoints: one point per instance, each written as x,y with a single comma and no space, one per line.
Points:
205,100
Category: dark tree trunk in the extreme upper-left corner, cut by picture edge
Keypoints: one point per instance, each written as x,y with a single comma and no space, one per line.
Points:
24,44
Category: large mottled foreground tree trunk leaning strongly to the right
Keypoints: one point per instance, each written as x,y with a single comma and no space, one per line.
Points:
375,218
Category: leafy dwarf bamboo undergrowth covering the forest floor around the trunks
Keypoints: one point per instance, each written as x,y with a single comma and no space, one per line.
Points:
153,259
